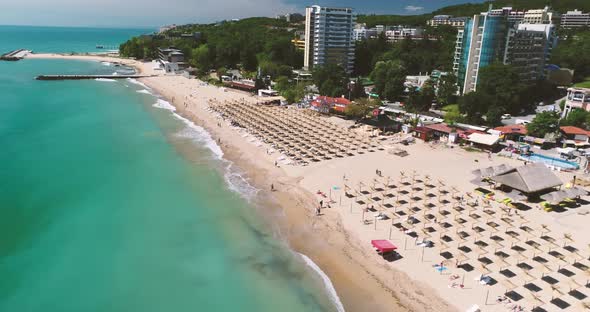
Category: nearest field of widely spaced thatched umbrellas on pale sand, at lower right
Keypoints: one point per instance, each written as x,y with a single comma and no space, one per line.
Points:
524,258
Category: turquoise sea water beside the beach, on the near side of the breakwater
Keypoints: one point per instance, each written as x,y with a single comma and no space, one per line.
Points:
108,202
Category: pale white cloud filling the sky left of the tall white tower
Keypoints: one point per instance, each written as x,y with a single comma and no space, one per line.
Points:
135,12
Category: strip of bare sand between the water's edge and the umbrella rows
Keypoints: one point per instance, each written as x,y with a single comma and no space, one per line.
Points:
356,275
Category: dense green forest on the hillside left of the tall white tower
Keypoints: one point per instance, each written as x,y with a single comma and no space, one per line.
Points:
247,44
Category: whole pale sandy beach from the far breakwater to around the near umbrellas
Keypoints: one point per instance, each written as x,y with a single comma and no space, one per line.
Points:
339,239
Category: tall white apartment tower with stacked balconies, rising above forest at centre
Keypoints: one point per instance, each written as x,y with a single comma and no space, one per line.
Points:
329,37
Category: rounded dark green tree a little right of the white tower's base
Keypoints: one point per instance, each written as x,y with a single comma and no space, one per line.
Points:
389,78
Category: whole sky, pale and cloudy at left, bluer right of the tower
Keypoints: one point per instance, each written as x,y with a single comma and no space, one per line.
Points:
153,13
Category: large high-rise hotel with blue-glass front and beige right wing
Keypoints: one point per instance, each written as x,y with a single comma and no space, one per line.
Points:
522,39
